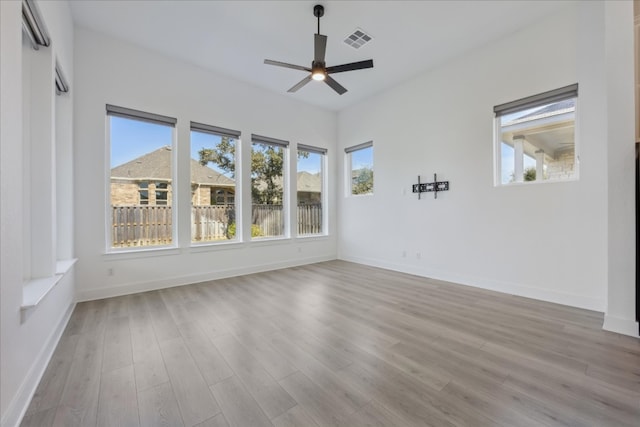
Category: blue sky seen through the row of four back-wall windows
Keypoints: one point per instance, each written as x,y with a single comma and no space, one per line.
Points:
131,139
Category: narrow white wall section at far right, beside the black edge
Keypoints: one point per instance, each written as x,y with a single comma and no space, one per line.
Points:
621,114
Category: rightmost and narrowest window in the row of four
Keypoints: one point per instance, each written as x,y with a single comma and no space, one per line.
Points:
309,192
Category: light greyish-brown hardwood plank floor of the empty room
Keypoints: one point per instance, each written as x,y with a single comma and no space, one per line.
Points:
336,344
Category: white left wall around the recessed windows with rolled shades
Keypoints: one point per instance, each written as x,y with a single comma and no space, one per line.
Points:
26,341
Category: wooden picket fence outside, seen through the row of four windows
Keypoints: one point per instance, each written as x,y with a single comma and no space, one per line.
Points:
143,225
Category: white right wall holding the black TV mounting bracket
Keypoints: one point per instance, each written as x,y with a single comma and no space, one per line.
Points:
546,241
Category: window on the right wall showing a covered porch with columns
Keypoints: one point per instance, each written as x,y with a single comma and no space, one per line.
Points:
535,138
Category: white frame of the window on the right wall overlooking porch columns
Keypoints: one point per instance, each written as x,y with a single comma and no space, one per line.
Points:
530,102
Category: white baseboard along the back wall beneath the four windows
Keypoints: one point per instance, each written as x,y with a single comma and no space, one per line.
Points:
152,285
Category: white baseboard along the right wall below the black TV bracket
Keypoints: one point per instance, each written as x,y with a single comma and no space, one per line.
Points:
573,300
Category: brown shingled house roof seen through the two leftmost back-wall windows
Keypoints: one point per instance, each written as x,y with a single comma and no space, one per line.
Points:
156,165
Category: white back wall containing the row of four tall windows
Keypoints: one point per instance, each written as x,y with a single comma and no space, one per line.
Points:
109,71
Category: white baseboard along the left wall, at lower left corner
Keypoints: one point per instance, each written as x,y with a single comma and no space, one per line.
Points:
20,403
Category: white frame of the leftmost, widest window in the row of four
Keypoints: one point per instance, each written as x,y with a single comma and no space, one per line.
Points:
141,116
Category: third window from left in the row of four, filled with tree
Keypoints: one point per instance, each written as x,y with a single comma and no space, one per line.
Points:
268,177
